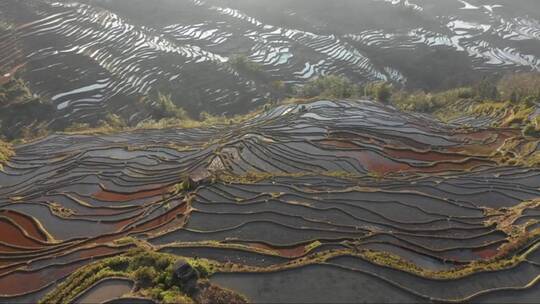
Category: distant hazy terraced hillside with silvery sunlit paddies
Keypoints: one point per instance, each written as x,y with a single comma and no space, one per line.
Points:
87,58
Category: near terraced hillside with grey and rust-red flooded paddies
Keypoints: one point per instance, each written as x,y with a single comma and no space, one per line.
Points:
331,201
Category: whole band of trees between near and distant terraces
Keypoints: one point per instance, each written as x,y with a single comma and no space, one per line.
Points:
515,94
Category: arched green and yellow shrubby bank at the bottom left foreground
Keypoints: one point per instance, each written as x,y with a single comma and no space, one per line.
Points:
155,277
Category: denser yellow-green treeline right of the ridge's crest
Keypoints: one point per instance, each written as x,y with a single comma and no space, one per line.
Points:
516,94
